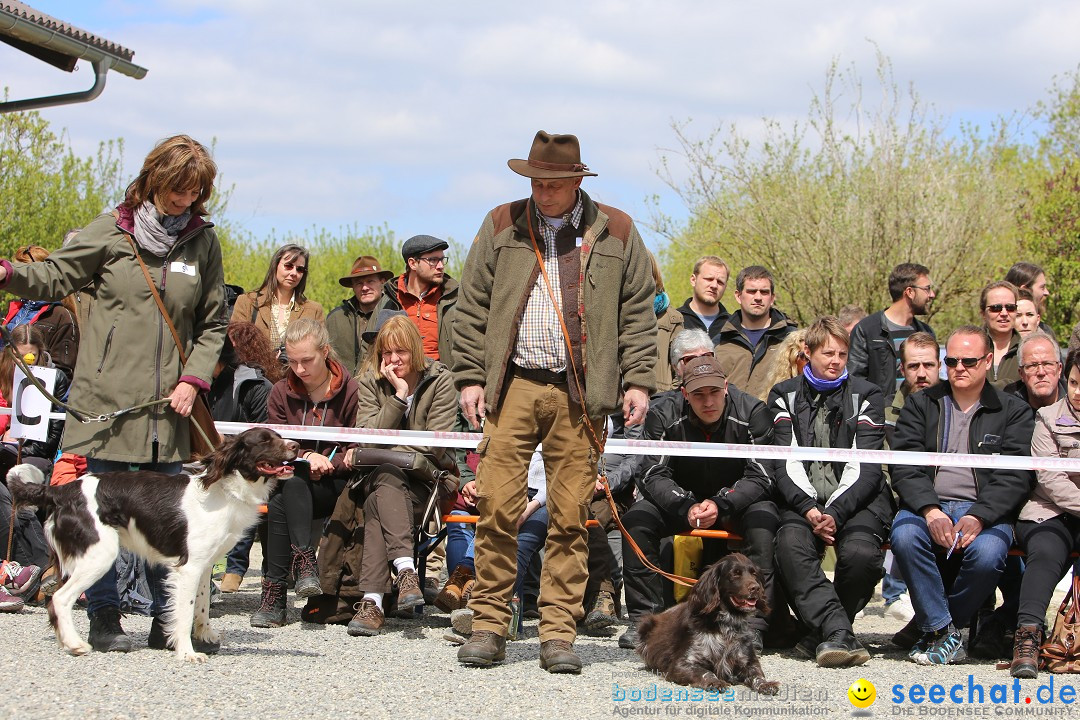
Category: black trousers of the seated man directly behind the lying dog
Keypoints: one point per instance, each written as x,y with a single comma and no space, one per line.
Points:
649,526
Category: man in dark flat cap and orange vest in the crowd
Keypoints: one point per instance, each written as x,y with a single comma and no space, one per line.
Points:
427,294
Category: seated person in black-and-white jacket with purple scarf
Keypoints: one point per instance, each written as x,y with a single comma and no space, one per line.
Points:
847,506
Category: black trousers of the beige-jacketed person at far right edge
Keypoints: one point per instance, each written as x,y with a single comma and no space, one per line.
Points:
1047,547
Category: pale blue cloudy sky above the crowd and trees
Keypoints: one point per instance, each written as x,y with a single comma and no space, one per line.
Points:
345,112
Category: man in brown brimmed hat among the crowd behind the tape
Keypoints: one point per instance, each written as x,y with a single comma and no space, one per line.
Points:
349,321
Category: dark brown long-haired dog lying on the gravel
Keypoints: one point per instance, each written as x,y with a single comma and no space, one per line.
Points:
707,642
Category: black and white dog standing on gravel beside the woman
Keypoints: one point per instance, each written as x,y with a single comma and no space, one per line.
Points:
184,523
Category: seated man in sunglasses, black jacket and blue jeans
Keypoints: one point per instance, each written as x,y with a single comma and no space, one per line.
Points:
957,521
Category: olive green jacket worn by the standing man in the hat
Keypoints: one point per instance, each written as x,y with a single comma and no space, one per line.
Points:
619,322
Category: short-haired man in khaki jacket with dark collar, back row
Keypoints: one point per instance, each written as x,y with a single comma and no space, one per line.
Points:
751,339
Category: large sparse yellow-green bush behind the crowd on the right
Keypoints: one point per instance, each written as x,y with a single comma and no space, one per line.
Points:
832,205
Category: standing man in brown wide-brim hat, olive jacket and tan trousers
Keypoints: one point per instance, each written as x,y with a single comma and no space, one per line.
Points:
539,382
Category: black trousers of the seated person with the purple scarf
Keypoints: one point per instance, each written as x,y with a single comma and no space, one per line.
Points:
826,607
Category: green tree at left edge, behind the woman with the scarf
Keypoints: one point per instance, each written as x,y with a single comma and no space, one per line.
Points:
46,189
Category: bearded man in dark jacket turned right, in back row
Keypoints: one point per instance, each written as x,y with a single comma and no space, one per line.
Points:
876,339
